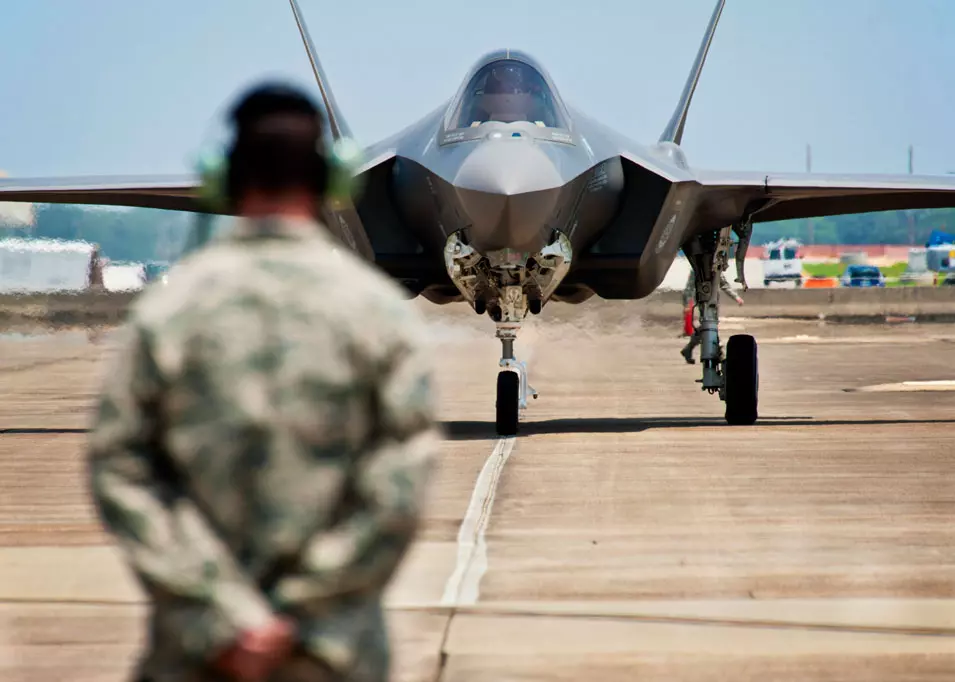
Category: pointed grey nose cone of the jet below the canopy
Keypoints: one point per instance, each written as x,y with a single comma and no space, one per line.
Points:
509,190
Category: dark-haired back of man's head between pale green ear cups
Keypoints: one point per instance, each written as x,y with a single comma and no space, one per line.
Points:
278,142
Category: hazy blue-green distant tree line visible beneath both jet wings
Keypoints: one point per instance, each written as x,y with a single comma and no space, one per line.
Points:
143,234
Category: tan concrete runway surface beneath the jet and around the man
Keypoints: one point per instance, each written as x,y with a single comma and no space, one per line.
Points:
628,533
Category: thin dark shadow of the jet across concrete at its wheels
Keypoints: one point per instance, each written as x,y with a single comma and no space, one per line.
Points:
481,430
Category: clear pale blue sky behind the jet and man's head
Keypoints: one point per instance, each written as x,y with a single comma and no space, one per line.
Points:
105,86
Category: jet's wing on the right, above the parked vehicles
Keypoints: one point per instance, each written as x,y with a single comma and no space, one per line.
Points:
780,196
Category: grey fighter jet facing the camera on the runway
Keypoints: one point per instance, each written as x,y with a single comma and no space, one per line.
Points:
506,197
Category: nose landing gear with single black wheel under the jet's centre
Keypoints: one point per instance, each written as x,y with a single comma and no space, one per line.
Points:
512,386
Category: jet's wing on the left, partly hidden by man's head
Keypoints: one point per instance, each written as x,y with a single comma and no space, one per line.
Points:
172,192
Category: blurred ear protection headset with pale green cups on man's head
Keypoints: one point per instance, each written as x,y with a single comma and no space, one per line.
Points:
334,164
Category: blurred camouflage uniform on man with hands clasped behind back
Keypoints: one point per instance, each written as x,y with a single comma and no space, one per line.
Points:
262,444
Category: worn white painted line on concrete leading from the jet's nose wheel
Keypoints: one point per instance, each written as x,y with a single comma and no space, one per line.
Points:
463,585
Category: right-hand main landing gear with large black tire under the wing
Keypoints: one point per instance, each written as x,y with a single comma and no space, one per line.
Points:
735,376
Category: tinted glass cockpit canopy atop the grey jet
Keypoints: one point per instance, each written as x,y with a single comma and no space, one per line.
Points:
508,90
